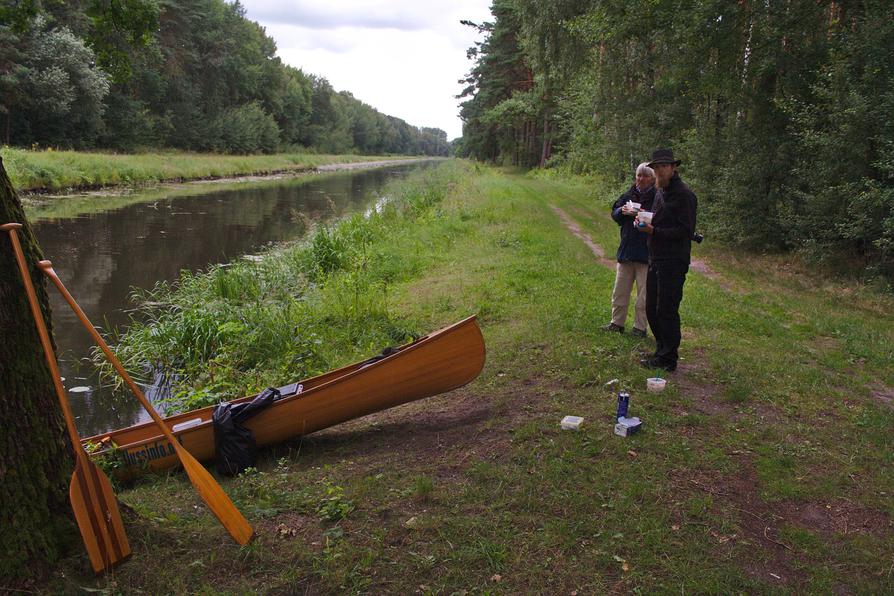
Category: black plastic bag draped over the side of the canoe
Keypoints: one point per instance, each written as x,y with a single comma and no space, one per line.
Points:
234,444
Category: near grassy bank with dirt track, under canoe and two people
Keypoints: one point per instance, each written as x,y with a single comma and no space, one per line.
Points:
764,467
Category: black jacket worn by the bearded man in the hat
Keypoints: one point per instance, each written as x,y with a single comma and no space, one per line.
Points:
673,222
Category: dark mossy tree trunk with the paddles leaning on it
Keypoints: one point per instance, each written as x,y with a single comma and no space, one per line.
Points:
35,454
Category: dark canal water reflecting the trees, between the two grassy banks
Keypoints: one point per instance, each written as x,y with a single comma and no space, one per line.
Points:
102,254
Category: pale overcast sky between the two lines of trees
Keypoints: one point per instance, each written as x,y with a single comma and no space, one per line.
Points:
402,57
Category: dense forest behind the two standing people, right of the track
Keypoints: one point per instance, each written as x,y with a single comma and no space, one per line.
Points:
781,109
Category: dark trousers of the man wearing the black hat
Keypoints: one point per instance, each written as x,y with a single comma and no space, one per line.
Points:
664,292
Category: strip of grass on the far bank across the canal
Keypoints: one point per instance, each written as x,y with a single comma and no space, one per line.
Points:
65,170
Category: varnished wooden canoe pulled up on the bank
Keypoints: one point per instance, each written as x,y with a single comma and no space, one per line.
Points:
439,362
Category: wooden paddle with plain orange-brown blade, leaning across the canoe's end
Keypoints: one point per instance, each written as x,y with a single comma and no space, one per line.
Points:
210,491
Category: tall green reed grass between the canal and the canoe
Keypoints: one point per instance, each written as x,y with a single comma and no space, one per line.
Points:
297,311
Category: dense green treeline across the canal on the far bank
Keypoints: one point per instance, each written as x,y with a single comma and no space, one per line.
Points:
186,74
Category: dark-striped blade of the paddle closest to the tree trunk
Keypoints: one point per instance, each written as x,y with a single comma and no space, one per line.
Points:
97,515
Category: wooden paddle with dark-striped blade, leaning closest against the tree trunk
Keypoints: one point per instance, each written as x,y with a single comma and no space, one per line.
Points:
90,492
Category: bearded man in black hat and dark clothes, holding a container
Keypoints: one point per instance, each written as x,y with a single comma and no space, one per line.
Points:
670,243
